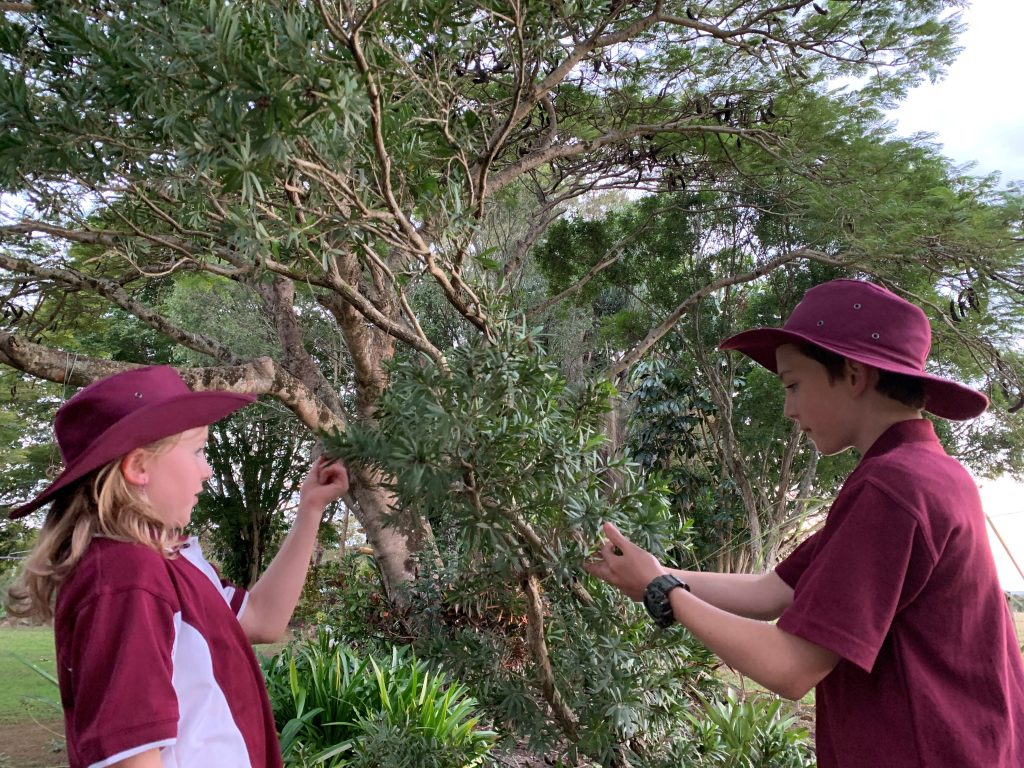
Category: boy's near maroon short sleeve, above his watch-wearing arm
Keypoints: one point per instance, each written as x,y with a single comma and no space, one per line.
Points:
847,596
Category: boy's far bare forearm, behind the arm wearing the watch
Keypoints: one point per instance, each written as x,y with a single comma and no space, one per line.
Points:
761,596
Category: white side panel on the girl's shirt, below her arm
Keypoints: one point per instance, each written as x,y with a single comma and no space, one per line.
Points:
207,734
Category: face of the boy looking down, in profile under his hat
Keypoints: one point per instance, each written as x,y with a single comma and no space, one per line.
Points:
817,404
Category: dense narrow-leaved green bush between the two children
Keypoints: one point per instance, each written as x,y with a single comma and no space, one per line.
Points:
517,495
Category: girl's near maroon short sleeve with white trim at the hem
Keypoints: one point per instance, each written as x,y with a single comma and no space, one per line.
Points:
120,697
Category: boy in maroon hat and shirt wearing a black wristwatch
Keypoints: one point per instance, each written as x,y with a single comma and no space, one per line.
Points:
892,612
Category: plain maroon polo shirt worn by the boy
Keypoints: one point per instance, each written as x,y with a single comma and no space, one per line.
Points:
902,584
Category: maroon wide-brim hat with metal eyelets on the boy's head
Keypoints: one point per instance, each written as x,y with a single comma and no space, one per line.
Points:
871,325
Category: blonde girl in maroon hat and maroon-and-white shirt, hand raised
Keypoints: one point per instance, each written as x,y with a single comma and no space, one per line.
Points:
154,651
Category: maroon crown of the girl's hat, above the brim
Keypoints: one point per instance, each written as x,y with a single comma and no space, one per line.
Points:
98,408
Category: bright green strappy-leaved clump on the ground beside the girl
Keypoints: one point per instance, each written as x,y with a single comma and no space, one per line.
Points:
336,710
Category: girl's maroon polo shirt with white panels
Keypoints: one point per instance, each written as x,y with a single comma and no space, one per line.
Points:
151,655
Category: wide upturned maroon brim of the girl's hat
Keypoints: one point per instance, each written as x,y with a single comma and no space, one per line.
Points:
142,428
